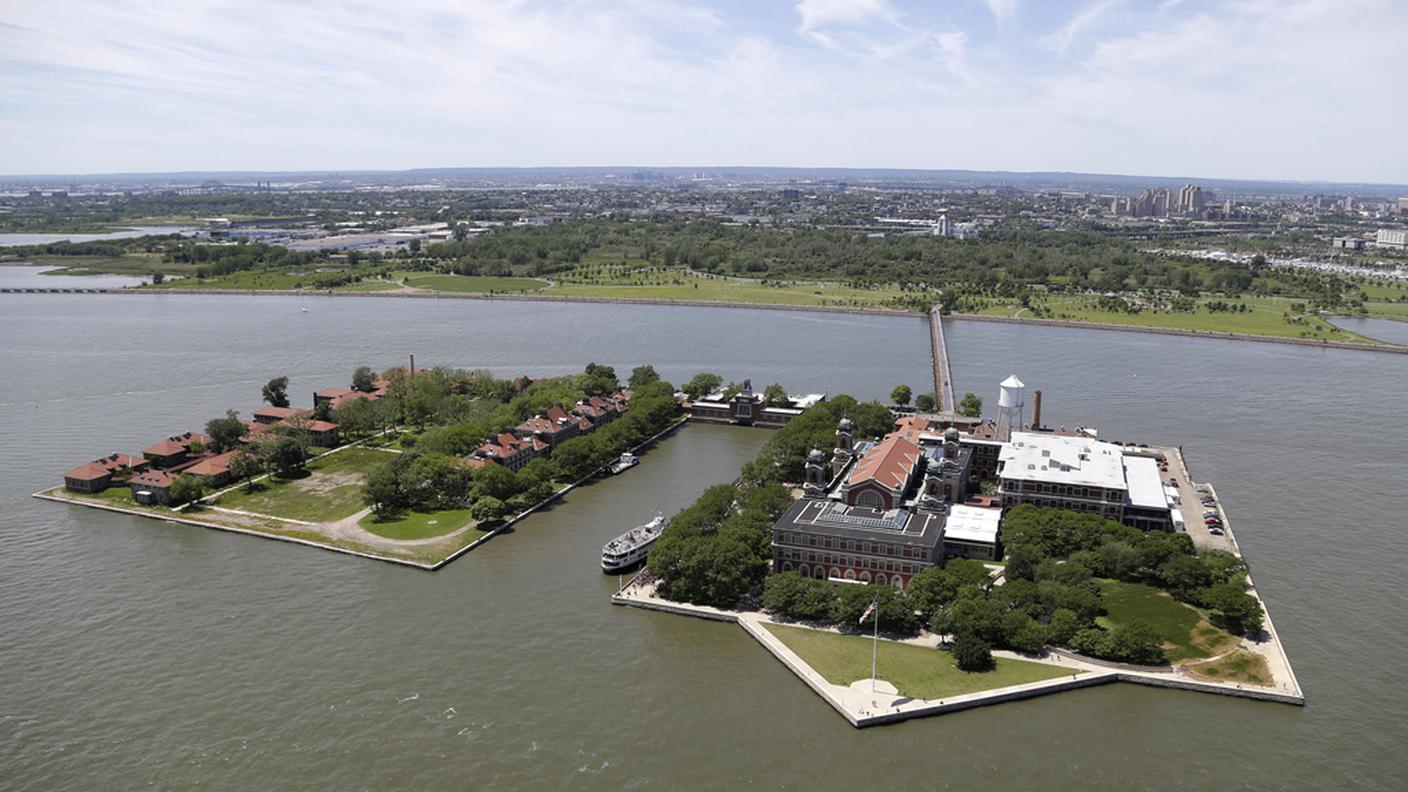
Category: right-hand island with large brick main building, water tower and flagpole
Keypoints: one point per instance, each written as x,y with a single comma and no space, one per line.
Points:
907,564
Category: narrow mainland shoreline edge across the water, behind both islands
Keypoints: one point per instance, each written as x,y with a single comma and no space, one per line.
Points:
898,314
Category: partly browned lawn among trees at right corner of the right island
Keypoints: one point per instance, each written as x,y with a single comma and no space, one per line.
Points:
1186,633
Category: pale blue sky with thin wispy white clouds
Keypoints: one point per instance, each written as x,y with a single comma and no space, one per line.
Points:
1252,89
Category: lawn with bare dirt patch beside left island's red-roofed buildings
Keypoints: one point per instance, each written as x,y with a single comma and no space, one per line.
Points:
332,493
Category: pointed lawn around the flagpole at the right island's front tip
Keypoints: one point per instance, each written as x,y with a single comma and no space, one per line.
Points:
916,672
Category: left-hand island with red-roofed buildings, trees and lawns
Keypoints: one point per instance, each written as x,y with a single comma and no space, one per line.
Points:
409,466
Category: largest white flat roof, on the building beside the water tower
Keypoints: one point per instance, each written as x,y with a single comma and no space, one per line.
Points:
1064,460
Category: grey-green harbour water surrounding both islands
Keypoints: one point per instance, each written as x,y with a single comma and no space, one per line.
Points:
146,655
